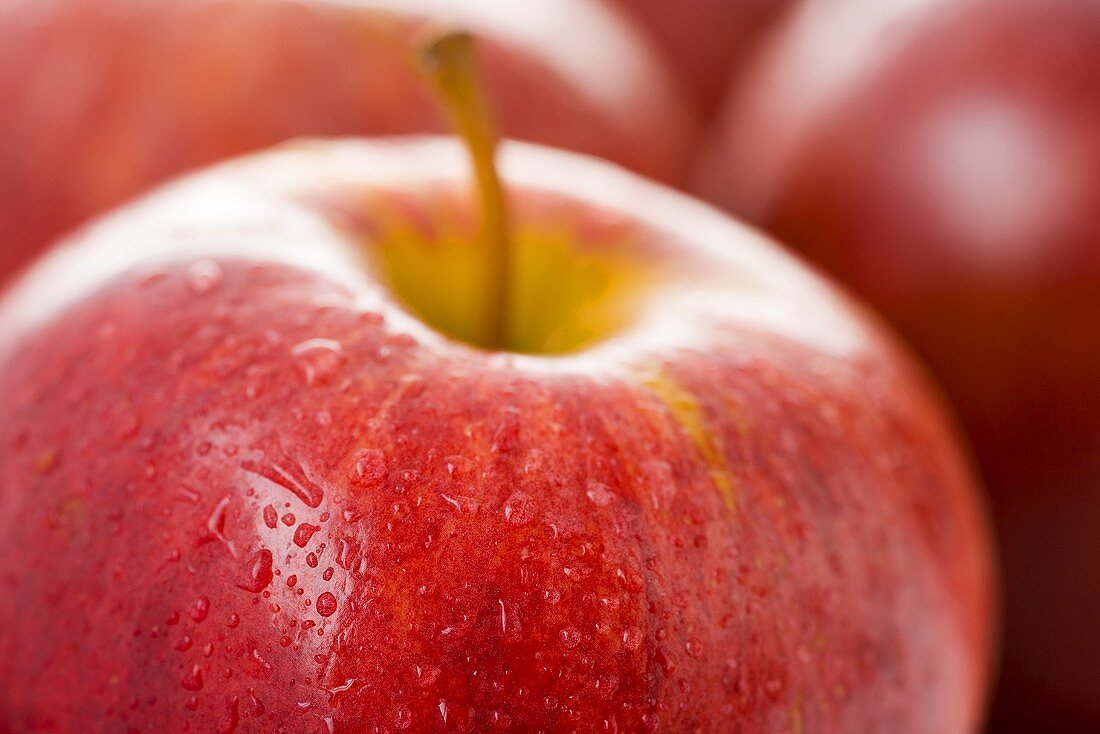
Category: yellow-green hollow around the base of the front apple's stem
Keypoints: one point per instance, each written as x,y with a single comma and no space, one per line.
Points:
563,298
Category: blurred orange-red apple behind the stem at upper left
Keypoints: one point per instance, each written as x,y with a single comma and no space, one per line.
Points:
104,98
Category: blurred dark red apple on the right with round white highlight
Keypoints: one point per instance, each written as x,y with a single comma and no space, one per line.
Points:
945,161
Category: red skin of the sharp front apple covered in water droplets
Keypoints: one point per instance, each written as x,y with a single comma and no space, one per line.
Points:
230,455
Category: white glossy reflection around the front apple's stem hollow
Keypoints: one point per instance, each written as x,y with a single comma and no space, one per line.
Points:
727,277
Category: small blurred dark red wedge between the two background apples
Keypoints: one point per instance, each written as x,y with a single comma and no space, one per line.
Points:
708,40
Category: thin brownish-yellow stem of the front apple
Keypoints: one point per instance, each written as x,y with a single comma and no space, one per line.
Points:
449,61
